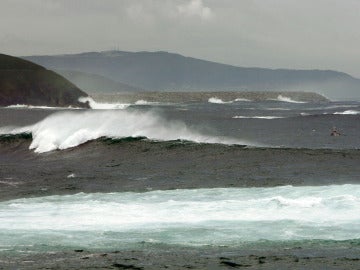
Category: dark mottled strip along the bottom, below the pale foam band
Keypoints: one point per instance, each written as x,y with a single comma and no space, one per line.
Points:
317,255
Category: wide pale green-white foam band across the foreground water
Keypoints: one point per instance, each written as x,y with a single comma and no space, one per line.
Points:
200,216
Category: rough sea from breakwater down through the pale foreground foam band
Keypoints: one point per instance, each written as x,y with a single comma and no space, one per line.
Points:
183,174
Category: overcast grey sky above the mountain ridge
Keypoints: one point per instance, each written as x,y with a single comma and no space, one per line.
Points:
305,34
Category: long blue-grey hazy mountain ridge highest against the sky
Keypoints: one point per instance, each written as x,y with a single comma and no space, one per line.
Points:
162,71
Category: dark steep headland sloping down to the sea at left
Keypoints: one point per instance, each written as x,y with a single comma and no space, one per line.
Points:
23,82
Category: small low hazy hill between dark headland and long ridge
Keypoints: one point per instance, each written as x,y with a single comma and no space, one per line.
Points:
96,84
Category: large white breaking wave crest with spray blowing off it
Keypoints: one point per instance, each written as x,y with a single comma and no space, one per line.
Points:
63,130
